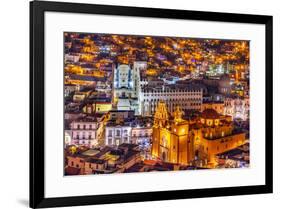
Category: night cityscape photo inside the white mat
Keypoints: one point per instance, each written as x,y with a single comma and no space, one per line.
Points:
150,103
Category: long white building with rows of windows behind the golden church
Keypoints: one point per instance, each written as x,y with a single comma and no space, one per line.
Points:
188,97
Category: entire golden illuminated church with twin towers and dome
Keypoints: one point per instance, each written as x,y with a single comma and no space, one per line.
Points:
192,141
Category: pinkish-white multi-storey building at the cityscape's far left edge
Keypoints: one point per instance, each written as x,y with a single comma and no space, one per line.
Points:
84,132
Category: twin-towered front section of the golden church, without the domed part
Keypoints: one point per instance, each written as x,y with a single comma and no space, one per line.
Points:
170,137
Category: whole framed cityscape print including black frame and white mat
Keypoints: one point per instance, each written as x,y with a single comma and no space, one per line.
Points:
135,104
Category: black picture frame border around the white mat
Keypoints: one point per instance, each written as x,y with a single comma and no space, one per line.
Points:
37,101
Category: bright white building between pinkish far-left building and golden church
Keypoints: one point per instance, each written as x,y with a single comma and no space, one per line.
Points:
116,134
